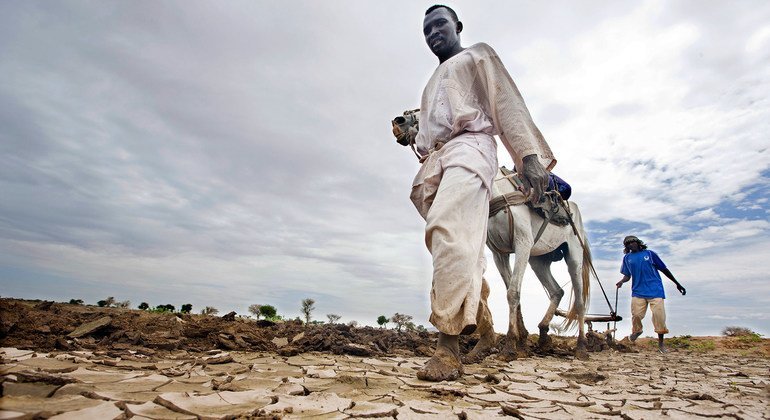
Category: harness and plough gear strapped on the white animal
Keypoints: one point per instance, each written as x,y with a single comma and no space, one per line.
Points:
553,209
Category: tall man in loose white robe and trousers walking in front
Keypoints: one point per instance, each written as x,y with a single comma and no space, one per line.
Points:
469,99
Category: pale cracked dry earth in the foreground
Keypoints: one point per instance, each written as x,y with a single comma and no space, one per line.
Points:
216,384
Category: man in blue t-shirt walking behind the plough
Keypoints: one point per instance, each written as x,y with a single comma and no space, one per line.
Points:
641,266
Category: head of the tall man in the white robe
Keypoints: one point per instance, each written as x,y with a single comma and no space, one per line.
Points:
441,29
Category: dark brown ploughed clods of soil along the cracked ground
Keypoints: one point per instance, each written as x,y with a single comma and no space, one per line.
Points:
45,326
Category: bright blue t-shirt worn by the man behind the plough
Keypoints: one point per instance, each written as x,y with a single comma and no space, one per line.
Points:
643,268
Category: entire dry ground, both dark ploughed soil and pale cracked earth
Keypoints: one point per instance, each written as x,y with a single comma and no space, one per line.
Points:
162,367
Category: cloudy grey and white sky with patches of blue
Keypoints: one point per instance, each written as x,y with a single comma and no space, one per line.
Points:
231,153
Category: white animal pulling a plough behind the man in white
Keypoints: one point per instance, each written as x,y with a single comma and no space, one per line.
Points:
514,230
